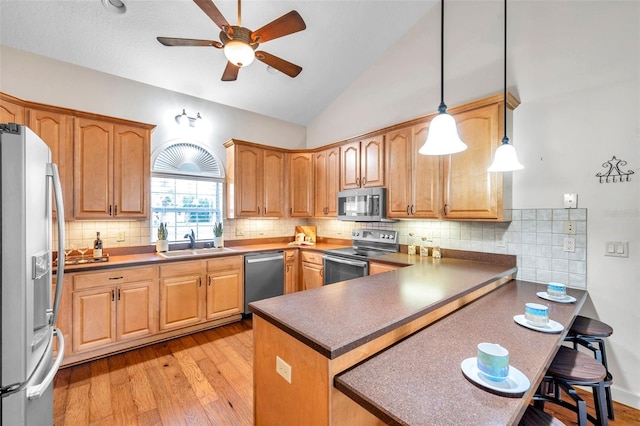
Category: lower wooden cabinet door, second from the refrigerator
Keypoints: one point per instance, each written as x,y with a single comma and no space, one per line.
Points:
135,312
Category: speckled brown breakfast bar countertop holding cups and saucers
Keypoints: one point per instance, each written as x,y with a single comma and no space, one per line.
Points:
419,381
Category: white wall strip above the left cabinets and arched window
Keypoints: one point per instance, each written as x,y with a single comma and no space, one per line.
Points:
36,78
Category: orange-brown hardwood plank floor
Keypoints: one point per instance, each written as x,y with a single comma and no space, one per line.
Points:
202,379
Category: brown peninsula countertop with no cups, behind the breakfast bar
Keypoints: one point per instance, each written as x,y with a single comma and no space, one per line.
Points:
337,318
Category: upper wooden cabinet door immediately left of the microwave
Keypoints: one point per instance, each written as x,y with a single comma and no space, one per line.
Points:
326,178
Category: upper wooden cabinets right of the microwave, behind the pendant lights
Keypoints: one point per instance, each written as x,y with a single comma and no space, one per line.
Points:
456,186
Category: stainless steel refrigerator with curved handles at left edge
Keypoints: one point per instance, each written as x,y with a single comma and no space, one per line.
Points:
28,314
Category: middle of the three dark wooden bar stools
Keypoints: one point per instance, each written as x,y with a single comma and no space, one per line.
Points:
571,367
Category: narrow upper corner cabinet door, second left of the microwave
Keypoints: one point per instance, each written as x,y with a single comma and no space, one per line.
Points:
300,184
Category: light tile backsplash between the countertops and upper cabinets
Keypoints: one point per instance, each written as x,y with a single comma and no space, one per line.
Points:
536,236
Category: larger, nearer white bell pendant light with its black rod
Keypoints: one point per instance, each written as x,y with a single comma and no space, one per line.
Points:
443,136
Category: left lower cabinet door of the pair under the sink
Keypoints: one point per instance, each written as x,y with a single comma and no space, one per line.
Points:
180,301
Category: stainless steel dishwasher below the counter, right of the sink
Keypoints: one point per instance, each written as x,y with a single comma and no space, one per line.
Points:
263,277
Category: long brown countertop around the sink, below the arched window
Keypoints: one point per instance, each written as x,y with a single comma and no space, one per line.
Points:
154,258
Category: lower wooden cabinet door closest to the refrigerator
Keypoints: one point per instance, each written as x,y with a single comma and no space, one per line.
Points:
94,318
